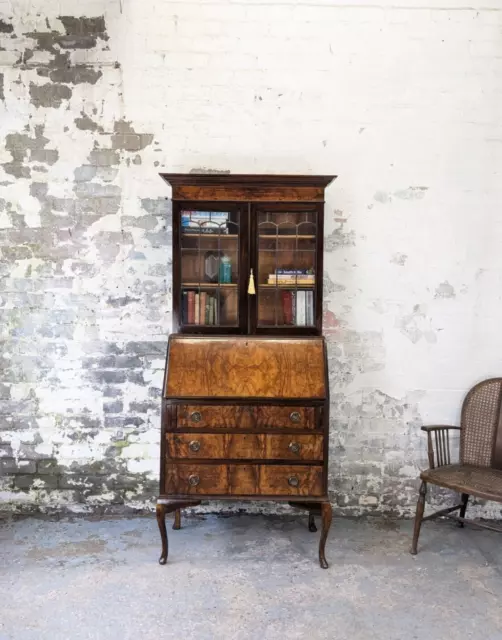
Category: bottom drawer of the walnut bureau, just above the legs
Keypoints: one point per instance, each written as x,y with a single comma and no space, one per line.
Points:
244,479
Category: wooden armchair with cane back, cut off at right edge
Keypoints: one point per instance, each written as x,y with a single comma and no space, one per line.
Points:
479,472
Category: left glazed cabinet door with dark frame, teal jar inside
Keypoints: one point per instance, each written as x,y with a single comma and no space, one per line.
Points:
210,267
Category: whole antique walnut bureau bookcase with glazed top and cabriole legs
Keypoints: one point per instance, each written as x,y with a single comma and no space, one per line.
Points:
245,398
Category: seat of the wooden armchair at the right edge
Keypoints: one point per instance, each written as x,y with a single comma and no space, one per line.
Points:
482,482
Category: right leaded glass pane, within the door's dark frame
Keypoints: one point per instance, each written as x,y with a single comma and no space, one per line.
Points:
286,268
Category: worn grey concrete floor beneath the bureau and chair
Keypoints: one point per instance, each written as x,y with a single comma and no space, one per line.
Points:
246,577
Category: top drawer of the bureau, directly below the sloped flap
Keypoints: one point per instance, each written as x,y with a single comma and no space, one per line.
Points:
242,417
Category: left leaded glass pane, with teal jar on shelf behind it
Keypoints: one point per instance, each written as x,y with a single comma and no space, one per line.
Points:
209,267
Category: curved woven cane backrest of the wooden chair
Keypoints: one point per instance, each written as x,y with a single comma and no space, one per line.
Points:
481,422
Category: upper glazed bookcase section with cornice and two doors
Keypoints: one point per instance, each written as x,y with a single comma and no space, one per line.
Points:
247,253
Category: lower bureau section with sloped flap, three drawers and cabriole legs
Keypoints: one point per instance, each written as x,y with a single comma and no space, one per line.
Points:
246,418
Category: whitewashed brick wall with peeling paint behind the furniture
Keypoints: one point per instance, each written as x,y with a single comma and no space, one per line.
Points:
401,99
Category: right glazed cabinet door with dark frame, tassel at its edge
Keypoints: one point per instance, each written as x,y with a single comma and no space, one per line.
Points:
286,256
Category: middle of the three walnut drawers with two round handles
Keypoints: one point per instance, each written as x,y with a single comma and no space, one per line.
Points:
245,446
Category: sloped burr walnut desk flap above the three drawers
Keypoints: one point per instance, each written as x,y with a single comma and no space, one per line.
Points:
245,367
